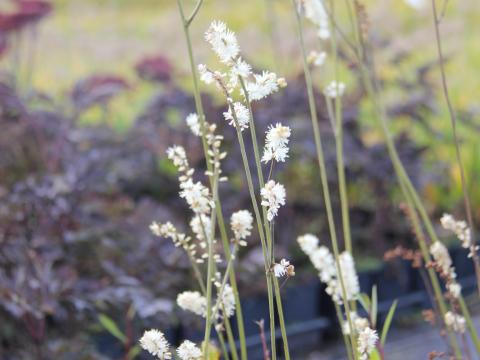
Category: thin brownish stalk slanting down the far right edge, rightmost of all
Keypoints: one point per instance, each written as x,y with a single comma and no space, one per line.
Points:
453,120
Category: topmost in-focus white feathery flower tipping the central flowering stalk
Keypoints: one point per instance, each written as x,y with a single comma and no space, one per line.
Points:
223,40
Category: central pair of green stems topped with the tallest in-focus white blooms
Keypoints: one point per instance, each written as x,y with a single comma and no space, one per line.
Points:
238,80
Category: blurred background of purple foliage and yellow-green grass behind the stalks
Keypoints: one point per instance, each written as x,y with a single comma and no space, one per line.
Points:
92,92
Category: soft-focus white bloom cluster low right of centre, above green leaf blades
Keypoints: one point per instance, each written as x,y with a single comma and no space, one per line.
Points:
323,260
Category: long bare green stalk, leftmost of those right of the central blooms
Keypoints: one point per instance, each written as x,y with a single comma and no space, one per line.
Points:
323,173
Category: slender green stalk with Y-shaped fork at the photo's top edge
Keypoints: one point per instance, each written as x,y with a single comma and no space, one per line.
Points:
218,207
